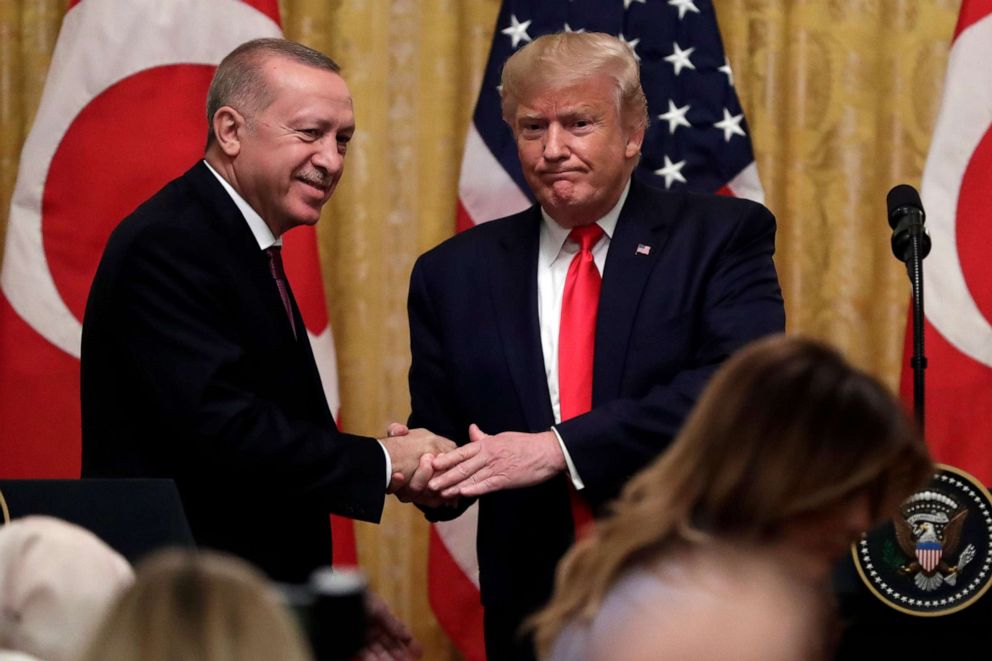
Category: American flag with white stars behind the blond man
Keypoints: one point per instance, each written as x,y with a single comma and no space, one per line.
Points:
697,140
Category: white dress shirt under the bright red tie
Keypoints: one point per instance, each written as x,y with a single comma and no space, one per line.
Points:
555,253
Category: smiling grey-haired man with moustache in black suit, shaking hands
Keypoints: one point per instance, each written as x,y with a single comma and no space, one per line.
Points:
195,360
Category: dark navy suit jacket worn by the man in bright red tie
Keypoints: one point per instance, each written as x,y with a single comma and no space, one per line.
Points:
666,321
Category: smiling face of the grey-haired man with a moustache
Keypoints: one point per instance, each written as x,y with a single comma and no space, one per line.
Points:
287,158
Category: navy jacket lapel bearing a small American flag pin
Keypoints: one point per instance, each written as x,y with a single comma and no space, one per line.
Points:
636,244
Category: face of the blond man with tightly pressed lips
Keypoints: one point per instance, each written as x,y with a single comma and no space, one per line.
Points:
575,150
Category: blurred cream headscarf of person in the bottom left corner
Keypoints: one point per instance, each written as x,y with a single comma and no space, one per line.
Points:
56,582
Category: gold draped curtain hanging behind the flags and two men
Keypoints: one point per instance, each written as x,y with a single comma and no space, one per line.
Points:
840,95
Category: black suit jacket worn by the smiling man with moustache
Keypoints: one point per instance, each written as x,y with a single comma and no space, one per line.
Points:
190,370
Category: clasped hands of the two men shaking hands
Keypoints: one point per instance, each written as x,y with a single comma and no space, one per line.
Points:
432,471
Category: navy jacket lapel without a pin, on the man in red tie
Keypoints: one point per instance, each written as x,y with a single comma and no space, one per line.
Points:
513,279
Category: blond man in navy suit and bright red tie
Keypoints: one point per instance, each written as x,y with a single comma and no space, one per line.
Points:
575,402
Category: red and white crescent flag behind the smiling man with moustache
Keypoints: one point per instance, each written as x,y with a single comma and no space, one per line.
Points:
122,113
